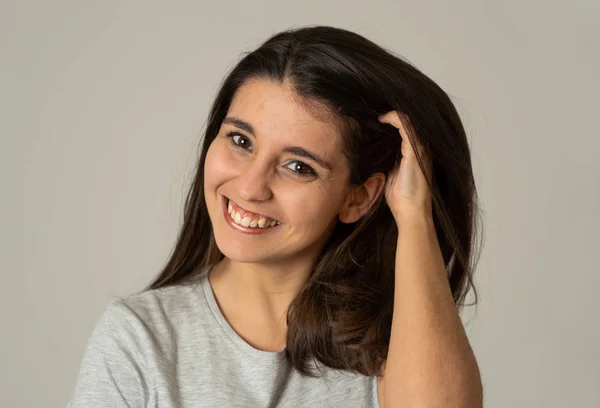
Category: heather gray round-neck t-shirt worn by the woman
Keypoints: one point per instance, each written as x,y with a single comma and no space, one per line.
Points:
172,347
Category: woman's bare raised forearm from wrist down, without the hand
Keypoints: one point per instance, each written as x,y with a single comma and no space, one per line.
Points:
430,362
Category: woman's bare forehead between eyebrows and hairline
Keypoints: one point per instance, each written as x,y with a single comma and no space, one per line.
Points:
276,113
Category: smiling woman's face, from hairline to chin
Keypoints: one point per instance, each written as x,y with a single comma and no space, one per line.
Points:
273,165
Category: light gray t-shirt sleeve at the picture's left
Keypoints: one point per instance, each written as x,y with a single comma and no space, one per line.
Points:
113,368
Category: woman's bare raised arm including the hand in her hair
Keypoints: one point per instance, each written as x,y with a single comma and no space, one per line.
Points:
430,362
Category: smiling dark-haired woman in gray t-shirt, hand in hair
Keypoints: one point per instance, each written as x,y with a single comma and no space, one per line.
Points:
311,268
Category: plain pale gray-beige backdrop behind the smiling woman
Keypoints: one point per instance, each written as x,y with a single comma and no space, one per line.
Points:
102,105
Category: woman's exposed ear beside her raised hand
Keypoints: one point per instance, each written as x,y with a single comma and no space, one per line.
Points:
360,198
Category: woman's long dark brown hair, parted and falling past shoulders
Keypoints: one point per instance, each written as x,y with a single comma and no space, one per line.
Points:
342,316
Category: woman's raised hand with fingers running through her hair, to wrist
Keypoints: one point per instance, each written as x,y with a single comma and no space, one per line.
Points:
407,192
